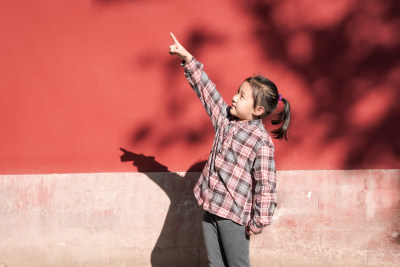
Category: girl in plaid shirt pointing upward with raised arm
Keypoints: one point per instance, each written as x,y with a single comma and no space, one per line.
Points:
237,185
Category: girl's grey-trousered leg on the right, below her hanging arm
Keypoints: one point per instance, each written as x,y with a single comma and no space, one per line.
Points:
235,242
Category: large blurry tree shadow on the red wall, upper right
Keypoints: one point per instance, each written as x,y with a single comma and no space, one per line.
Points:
348,67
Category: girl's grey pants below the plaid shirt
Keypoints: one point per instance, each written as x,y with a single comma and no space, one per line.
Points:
227,243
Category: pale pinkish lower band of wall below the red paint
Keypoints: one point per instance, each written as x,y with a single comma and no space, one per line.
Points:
324,218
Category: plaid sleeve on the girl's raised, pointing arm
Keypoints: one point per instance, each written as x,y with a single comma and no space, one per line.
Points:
206,90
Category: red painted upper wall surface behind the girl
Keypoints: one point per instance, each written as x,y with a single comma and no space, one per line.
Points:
81,79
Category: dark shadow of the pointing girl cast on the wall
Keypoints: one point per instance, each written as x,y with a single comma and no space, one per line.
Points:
180,242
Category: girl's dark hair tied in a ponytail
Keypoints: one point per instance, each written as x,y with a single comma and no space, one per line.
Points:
265,94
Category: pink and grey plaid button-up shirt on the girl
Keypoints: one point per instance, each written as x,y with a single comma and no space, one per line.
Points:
238,181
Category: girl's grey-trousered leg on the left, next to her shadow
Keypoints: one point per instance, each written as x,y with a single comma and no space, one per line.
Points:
212,241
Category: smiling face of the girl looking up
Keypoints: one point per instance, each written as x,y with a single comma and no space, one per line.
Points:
243,103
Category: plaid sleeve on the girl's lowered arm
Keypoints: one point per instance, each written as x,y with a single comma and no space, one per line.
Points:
264,192
